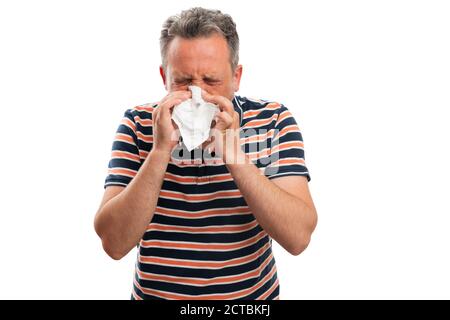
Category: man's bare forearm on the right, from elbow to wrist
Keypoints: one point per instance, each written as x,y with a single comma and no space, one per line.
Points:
286,218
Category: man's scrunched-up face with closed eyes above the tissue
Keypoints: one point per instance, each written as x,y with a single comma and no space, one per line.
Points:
203,62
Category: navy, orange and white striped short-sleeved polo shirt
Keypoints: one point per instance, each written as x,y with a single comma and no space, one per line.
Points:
203,241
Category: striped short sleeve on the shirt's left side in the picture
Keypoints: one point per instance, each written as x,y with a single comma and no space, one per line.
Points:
125,160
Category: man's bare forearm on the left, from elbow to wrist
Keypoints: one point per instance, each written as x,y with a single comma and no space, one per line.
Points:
124,219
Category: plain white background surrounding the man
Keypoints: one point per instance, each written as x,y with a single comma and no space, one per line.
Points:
369,85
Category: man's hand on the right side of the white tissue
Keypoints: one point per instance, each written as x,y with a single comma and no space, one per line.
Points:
225,133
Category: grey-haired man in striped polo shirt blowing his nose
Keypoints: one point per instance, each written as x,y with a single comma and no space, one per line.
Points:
205,230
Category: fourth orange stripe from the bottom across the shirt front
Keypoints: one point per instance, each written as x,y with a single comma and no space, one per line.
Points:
204,246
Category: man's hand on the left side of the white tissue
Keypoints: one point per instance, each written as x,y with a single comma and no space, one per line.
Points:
165,133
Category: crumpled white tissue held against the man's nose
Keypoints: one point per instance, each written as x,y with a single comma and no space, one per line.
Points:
193,118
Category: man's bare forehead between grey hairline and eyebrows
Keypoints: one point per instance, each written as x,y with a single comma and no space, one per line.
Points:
205,55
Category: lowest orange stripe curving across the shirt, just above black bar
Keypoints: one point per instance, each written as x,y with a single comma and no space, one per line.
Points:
233,295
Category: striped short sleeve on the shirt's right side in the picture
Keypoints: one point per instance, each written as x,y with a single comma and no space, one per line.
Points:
287,154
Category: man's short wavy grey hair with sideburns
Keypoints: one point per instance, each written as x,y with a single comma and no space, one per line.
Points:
199,22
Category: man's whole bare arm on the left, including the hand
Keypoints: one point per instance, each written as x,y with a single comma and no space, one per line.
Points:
125,213
